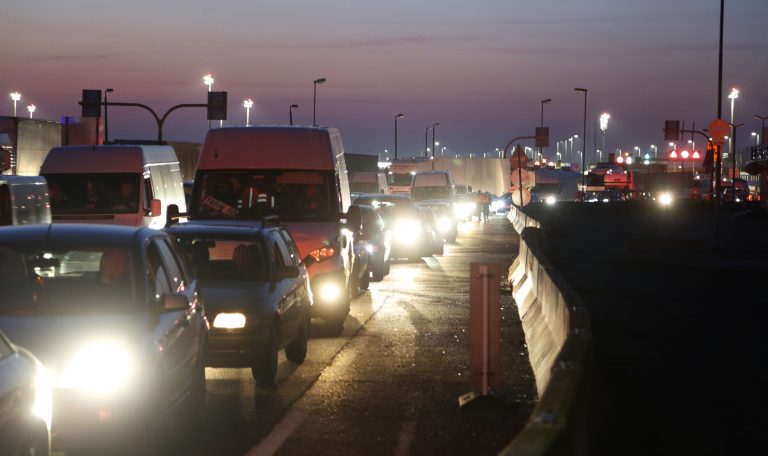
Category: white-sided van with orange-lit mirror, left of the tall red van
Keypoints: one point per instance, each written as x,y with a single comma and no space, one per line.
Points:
113,184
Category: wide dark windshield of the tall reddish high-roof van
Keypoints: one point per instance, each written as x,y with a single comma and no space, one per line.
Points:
252,194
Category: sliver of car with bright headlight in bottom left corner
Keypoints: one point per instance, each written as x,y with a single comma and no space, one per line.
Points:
25,402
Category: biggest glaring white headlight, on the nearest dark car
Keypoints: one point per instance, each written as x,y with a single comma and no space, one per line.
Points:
101,368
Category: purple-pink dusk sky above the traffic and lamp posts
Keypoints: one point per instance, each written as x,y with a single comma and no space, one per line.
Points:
479,68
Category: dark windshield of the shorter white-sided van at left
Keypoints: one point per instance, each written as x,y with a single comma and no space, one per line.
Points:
114,193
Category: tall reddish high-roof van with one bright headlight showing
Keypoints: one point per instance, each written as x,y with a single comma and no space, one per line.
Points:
298,174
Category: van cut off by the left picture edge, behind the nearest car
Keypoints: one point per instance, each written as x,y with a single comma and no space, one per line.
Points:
23,200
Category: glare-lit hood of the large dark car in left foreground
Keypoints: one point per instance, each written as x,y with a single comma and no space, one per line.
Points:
54,339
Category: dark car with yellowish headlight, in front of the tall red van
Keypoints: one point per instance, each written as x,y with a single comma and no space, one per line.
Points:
256,291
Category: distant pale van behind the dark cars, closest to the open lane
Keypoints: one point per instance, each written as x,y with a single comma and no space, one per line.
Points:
435,190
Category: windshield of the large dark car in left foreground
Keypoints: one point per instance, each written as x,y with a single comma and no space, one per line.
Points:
86,278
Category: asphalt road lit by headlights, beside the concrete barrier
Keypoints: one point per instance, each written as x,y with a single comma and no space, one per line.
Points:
390,383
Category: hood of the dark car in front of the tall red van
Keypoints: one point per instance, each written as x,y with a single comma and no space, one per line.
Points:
227,295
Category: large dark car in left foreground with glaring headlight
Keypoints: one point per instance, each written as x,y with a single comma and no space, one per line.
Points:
114,313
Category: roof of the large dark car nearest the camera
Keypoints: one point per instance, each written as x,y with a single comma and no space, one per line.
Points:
75,233
